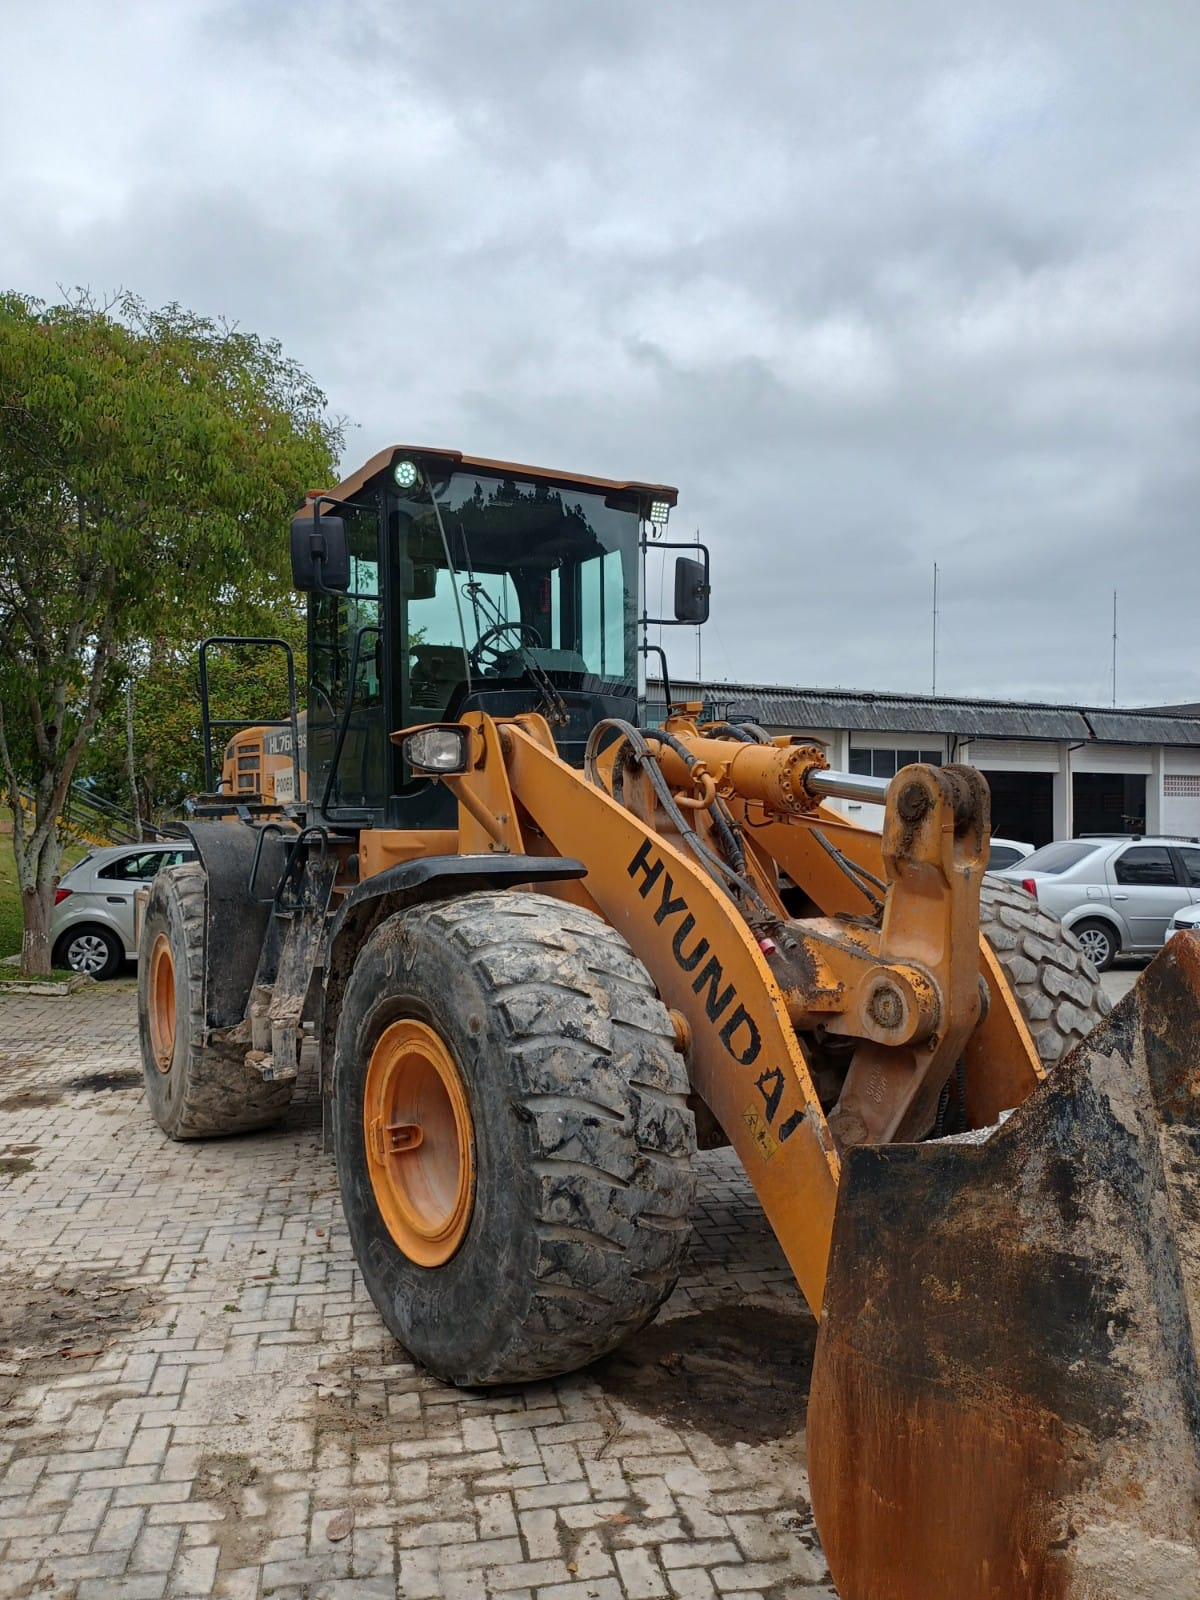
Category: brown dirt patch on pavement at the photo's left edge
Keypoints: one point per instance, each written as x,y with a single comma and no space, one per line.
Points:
46,1329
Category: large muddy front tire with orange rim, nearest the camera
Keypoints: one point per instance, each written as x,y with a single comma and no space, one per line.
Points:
561,1226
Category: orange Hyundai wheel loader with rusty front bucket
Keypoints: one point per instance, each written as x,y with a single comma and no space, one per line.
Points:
548,950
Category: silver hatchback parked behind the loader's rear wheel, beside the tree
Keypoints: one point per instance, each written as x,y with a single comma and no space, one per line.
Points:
92,926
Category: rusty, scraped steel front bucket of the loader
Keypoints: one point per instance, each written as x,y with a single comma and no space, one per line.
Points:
1006,1398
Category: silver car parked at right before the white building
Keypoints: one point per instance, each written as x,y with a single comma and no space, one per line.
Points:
1116,894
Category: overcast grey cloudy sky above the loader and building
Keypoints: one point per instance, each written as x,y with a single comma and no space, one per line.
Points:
878,287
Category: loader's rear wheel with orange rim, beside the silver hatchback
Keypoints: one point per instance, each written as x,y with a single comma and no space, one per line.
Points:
196,1090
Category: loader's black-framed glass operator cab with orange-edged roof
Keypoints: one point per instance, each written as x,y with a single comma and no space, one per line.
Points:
444,585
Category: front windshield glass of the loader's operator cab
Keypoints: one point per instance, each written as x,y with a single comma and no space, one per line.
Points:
516,580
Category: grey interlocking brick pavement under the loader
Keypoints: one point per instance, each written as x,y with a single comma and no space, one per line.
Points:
199,1399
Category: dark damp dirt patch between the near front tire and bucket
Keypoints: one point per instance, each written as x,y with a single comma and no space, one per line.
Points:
738,1374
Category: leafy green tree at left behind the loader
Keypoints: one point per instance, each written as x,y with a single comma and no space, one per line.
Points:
150,463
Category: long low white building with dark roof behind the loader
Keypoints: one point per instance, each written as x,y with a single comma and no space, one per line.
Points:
1055,770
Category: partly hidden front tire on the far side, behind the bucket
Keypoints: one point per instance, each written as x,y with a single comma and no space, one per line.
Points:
1055,985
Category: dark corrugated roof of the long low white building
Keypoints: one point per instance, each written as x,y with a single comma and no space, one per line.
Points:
862,711
